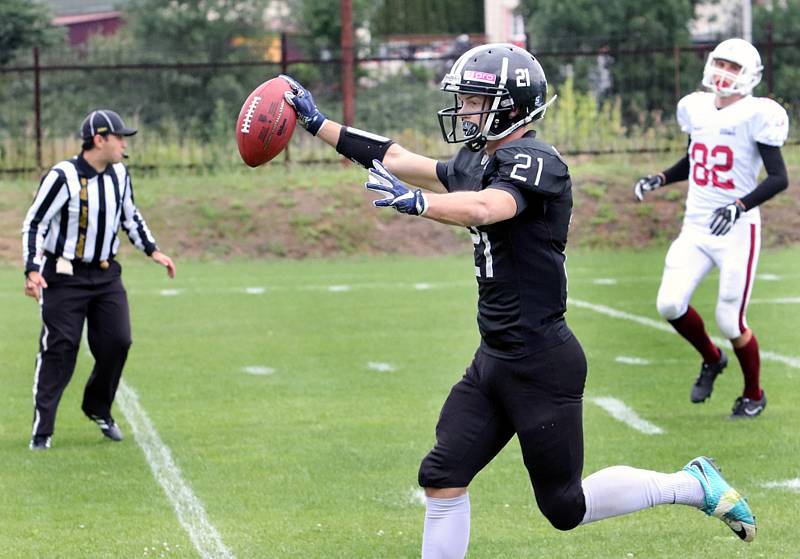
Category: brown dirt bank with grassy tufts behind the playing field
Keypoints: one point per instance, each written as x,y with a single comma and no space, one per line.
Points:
314,222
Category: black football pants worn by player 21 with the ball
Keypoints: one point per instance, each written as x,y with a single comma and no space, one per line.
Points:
538,398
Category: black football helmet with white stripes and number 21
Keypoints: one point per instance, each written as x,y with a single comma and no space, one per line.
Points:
509,77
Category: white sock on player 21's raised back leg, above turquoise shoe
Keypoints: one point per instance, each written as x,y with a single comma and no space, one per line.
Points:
621,490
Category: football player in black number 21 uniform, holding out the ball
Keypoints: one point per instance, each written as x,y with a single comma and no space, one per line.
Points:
513,192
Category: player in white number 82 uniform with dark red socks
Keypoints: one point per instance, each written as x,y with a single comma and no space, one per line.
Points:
730,134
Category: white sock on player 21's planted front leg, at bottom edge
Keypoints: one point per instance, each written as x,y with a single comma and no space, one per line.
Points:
446,533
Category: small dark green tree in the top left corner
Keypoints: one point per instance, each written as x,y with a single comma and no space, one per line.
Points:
23,24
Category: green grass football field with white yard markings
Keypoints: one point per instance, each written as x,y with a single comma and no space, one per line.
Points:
314,452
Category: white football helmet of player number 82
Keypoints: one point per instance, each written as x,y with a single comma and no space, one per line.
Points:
725,83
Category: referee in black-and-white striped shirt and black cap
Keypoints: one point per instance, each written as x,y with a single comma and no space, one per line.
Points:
69,241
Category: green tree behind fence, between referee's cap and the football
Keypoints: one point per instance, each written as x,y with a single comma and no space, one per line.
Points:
186,31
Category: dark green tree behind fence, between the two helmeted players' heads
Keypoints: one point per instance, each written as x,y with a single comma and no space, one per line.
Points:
621,34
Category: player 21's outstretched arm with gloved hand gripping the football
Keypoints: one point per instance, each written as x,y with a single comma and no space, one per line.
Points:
360,146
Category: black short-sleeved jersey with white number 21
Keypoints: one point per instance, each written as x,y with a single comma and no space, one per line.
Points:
519,262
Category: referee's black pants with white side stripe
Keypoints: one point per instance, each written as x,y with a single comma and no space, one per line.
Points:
97,297
